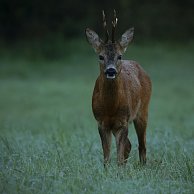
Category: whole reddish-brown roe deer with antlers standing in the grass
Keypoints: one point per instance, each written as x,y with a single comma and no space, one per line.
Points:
121,94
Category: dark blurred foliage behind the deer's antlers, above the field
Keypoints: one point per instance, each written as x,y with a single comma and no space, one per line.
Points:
37,19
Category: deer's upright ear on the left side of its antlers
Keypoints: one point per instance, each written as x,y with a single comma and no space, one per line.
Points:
93,39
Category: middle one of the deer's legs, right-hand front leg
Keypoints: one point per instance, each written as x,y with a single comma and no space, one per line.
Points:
123,145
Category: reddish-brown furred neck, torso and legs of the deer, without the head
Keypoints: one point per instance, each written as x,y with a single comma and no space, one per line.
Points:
116,103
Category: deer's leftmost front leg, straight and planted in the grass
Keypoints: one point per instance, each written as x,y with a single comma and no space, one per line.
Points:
105,136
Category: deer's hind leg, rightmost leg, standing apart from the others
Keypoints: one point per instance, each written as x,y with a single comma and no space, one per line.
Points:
140,124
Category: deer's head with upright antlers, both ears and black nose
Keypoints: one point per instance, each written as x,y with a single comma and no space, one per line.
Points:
109,51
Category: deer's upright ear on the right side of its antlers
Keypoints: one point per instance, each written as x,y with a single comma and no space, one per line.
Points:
126,38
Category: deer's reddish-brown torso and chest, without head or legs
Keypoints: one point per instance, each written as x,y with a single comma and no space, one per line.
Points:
117,102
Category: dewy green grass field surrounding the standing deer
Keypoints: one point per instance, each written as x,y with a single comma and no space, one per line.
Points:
49,141
